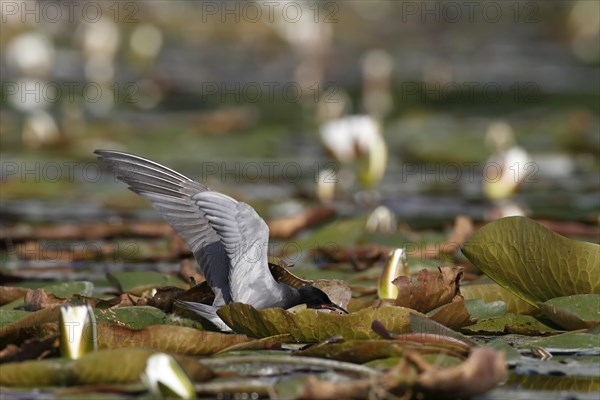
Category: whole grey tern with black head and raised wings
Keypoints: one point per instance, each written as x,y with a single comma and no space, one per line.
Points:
228,238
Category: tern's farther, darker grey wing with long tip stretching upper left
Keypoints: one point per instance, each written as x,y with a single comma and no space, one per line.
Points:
170,193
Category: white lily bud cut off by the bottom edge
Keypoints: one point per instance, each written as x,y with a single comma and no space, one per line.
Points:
165,378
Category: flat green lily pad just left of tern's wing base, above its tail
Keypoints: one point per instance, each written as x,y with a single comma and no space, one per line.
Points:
137,283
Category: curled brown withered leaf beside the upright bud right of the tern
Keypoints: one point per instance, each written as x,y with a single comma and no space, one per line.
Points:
433,288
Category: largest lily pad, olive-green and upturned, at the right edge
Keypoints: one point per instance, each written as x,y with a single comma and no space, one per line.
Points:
533,262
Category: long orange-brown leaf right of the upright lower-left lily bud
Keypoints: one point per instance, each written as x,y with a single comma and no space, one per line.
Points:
167,338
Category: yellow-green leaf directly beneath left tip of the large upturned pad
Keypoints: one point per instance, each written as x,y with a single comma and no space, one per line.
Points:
491,292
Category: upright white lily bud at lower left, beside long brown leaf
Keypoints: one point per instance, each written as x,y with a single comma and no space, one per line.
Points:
78,333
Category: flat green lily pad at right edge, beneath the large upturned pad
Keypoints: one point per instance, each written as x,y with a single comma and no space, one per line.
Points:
573,312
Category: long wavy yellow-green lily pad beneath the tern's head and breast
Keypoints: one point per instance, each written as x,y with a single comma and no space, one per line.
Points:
310,325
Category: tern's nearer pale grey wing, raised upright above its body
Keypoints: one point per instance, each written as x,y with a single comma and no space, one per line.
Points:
245,237
